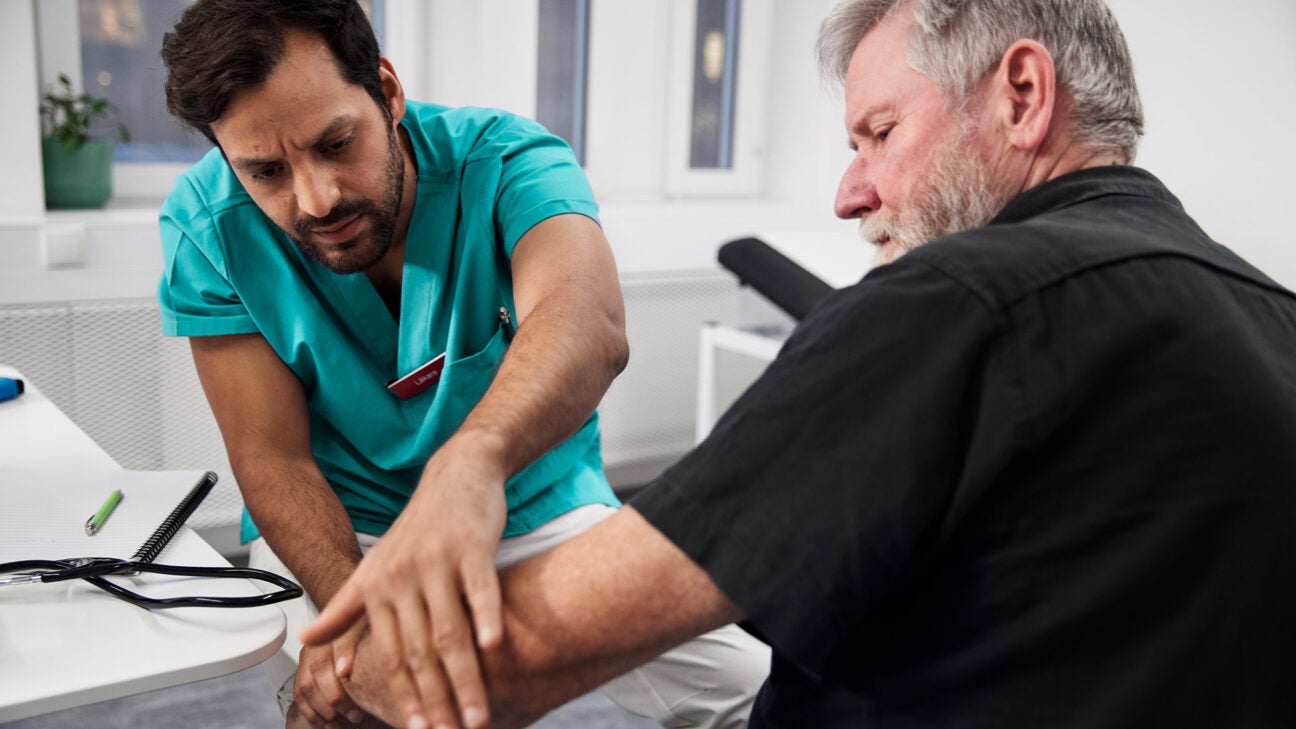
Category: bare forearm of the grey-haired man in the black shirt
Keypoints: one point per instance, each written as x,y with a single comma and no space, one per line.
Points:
593,609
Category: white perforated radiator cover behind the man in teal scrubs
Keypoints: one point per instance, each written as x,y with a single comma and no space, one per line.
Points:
107,365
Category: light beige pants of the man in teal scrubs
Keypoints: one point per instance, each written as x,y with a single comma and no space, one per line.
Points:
707,683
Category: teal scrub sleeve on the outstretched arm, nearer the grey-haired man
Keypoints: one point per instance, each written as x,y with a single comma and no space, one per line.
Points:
538,177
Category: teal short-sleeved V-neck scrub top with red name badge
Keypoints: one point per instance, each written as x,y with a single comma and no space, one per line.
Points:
484,180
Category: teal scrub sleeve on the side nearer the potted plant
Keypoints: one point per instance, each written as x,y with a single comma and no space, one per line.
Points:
195,295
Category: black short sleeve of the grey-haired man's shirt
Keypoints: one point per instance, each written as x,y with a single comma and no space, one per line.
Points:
818,491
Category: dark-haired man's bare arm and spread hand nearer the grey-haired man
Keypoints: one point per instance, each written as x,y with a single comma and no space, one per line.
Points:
440,555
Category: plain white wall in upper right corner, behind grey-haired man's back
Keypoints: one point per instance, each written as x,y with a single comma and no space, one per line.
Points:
1219,85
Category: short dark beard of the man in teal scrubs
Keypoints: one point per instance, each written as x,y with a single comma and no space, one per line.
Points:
360,254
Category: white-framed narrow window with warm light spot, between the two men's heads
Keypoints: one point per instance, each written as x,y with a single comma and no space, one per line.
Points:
653,133
